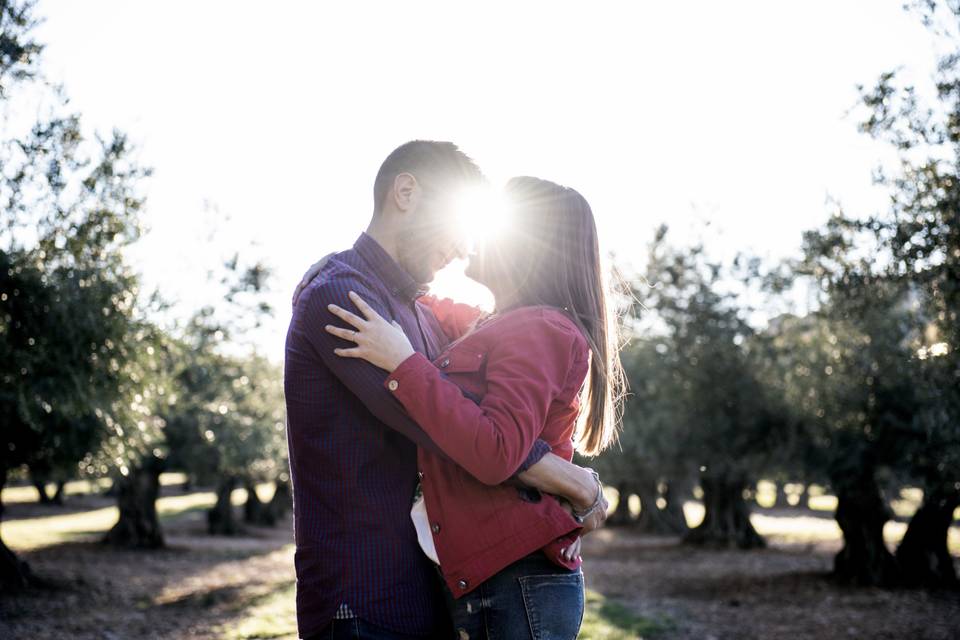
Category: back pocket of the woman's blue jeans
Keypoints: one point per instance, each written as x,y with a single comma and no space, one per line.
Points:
554,605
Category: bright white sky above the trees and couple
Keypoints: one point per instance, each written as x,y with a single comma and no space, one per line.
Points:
265,123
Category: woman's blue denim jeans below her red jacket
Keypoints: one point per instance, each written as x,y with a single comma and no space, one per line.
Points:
532,599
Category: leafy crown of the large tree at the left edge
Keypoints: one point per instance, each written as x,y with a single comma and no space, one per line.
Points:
79,393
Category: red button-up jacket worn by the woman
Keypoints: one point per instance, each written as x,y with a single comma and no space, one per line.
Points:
484,401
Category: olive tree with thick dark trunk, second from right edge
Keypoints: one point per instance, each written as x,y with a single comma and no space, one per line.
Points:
841,372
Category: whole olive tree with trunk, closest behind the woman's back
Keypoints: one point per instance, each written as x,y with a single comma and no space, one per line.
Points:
706,394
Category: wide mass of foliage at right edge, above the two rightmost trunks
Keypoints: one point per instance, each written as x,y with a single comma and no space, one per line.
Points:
880,363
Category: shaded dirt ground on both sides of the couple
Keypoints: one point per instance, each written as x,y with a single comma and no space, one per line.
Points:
242,587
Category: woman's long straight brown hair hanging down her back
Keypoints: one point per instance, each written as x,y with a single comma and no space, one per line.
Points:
551,256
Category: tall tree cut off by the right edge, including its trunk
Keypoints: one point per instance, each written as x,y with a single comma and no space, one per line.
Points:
921,235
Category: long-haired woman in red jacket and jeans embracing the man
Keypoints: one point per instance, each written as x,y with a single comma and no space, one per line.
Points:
506,380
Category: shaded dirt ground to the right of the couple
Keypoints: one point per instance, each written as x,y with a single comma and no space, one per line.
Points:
780,593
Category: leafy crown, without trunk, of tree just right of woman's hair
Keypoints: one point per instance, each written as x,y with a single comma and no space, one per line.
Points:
695,397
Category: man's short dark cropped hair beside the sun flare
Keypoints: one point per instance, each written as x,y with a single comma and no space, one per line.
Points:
434,164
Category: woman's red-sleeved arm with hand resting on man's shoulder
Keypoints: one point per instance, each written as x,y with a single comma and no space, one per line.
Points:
525,371
